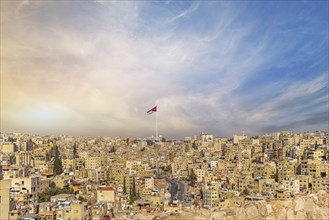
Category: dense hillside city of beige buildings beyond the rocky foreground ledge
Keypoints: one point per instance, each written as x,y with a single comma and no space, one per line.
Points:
71,178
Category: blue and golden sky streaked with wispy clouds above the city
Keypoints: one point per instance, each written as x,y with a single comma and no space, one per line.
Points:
96,67
